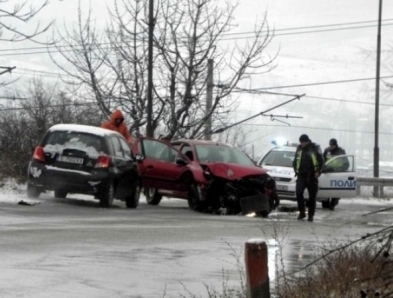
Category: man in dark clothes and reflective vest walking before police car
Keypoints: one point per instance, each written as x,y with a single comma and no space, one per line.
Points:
307,164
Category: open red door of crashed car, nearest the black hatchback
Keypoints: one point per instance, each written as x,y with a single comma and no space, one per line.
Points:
161,167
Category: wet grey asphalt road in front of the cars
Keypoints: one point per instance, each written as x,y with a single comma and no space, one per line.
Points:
73,248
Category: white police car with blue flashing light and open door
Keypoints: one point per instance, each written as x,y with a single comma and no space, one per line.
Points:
334,182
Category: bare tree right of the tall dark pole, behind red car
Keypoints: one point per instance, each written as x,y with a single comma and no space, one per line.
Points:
189,36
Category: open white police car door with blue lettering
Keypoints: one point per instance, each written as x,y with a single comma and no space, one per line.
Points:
338,179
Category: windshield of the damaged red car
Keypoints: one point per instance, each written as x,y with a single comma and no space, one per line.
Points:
220,153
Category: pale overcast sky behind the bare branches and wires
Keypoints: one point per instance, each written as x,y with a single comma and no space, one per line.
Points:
318,41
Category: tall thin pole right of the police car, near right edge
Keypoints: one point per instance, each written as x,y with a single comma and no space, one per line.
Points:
377,79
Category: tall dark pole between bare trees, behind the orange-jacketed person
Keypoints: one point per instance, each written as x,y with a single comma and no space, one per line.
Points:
149,125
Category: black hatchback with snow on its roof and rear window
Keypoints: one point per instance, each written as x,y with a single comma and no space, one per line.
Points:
83,159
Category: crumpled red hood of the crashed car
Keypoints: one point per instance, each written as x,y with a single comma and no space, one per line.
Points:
234,171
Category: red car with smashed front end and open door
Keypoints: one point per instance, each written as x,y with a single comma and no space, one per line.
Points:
212,177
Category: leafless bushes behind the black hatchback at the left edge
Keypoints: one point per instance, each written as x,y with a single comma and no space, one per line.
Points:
22,127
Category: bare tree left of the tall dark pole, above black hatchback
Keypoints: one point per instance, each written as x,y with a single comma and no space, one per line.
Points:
113,65
